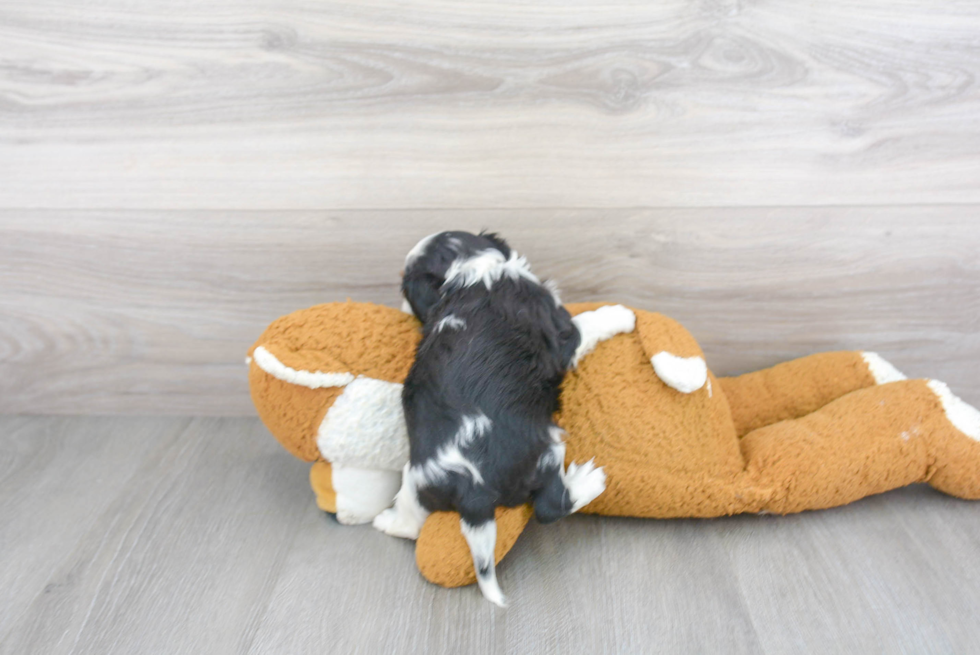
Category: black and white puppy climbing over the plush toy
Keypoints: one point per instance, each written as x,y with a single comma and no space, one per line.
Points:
480,396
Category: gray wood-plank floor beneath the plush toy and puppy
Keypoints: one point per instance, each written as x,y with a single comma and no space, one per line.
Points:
168,535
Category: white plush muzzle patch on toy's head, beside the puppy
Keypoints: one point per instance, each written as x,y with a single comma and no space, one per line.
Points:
365,427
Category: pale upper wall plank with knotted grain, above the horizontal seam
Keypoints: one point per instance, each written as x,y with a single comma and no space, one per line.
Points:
252,104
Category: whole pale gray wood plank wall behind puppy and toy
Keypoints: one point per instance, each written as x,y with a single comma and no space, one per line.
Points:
781,177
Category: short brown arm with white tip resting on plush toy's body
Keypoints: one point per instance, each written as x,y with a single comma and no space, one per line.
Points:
674,354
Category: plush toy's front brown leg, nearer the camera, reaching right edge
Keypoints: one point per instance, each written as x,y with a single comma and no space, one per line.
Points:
866,442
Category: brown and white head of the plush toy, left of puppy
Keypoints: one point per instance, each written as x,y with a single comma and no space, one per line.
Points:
327,382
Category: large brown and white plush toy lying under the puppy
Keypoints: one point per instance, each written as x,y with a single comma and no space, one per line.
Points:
673,439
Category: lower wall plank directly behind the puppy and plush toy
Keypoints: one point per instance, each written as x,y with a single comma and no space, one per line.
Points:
152,312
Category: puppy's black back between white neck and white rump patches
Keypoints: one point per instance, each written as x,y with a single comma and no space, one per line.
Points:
499,353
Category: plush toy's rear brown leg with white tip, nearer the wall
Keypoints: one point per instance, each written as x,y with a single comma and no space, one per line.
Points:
796,388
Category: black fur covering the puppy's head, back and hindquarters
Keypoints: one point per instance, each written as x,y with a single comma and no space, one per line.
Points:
507,363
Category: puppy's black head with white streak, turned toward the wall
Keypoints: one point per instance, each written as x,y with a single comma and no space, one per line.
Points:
427,263
